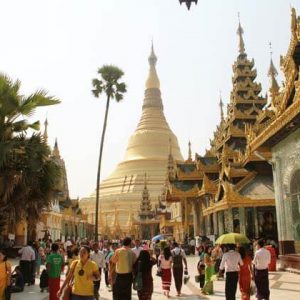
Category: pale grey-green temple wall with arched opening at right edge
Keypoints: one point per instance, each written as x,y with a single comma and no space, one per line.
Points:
286,159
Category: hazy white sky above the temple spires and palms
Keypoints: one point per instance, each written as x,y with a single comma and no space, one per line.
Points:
59,45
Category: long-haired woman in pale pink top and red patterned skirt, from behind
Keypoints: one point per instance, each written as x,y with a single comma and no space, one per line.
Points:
165,264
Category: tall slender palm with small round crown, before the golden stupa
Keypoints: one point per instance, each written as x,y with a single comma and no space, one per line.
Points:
113,89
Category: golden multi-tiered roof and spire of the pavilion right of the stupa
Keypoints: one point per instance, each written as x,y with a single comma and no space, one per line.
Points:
219,177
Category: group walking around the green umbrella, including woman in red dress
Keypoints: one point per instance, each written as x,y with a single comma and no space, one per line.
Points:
247,267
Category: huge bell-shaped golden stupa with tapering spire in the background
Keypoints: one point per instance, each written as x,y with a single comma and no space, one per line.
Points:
147,152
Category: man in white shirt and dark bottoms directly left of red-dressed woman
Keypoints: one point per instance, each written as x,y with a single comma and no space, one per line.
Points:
231,262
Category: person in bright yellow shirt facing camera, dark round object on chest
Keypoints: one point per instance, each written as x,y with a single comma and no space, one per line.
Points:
84,272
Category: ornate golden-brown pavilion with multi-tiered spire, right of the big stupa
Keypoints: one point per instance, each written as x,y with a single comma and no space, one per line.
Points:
216,193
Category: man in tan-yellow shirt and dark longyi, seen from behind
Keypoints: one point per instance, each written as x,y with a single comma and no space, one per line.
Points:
124,258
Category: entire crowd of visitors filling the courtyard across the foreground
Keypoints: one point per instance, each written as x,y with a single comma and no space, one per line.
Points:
128,264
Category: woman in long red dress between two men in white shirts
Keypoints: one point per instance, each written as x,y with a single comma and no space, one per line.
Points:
245,274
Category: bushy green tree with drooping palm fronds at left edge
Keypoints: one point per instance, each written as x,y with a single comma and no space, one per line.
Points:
27,175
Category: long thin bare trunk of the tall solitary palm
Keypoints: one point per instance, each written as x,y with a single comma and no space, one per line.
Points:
99,168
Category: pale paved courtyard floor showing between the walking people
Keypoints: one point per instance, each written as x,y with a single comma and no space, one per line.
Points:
284,286
